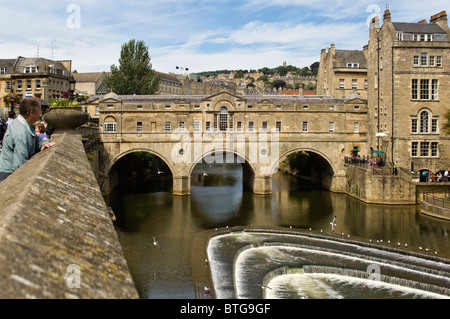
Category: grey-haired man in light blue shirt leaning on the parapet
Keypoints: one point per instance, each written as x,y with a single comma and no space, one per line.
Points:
21,142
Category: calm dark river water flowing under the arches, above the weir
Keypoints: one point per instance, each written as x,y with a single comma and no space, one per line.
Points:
146,210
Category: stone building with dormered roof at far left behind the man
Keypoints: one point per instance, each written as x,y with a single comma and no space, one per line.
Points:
37,77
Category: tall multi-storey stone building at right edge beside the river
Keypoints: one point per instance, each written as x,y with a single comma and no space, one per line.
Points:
408,78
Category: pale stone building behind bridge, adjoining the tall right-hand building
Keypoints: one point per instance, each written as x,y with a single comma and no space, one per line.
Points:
342,72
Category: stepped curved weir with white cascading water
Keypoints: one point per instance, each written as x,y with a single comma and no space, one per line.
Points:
287,264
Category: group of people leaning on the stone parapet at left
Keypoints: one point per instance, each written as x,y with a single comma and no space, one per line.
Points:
22,136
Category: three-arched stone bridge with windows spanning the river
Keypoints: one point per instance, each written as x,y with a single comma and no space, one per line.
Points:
260,130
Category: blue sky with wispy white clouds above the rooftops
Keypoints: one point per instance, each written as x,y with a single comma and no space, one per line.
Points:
201,35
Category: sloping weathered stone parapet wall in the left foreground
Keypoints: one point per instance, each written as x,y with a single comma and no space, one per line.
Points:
57,239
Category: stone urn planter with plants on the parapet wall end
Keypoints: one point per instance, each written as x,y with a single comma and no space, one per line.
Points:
65,114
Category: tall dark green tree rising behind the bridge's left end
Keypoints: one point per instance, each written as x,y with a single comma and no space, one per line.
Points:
134,75
